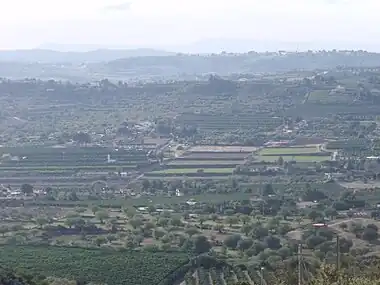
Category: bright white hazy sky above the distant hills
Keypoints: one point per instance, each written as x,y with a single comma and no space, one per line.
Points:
29,23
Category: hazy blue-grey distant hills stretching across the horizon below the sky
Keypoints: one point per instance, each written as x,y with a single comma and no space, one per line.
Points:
155,64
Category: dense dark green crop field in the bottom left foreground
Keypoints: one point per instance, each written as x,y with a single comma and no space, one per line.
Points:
110,267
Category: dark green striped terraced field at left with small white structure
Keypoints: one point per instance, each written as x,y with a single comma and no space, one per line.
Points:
66,165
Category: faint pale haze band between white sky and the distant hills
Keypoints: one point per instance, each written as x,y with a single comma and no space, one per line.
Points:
91,53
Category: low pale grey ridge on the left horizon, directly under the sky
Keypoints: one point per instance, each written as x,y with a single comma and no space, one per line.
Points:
99,55
